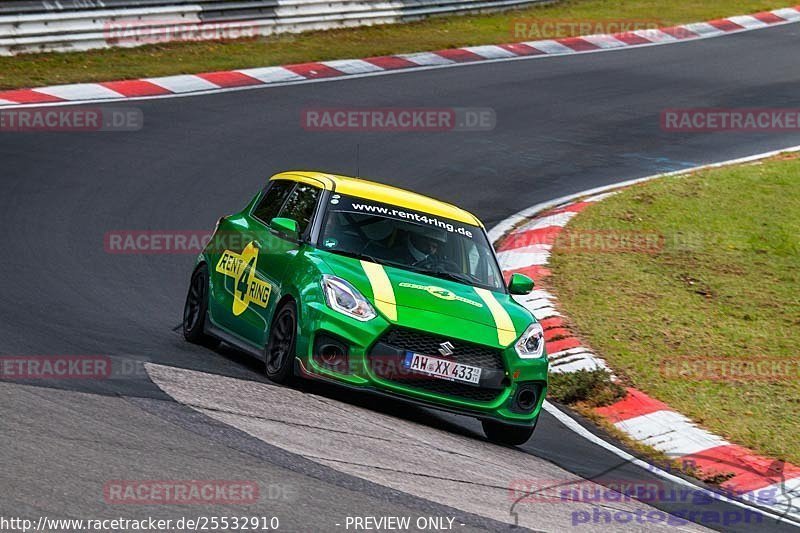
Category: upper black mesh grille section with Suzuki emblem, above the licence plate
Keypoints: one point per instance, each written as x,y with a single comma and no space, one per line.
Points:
428,344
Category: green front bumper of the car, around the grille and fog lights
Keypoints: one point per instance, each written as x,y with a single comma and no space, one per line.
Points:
496,397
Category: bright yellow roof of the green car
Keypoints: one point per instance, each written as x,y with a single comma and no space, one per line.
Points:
380,192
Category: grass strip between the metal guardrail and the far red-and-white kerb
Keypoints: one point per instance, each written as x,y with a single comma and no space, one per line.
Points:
32,70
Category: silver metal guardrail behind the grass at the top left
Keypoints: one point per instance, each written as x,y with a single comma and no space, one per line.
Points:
67,25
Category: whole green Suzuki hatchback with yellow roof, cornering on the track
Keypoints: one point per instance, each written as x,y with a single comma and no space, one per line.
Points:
375,288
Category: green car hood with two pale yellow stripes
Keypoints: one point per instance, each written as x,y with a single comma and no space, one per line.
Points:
431,303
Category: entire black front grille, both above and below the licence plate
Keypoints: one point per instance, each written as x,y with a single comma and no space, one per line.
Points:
428,344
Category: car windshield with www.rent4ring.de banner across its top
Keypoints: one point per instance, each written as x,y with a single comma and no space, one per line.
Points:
412,240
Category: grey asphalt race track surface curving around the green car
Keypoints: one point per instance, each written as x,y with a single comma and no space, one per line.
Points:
177,411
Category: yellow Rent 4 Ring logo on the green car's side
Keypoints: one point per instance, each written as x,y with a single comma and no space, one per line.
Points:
247,288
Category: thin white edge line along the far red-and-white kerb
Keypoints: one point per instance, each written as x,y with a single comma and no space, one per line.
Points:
386,72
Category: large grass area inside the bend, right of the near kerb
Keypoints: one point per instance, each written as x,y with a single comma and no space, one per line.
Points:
725,285
